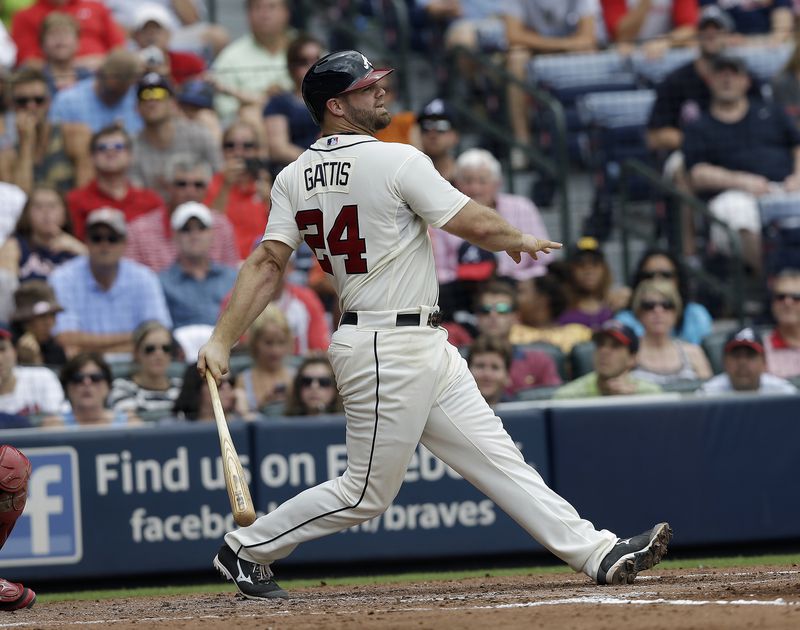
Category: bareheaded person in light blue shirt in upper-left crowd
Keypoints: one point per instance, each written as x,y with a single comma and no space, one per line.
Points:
107,98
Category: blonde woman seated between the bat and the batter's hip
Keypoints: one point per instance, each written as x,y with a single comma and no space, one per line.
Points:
269,379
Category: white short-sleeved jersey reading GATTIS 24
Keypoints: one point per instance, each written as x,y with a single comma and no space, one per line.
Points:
364,206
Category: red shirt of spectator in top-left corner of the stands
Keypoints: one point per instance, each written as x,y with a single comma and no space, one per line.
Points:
99,33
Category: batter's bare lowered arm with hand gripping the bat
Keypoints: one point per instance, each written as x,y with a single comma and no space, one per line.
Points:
255,287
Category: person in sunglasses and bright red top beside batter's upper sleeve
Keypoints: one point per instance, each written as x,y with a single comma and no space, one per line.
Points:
241,191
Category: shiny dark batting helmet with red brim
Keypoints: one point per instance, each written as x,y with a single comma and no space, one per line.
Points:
334,74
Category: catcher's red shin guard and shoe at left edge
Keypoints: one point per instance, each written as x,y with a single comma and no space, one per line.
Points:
15,470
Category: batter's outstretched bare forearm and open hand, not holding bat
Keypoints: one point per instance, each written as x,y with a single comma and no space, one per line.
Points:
485,228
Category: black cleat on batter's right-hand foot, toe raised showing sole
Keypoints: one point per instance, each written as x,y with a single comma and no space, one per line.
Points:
631,555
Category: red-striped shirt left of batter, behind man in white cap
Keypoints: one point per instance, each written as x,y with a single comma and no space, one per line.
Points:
150,241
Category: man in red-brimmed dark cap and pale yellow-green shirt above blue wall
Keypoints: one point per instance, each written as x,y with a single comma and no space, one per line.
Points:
616,346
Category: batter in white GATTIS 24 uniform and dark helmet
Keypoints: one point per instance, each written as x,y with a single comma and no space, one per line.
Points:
364,207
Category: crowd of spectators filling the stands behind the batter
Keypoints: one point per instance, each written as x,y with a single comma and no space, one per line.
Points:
138,144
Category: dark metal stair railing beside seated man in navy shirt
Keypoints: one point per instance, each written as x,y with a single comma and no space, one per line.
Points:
732,292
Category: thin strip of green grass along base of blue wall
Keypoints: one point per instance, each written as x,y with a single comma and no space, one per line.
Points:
217,587
